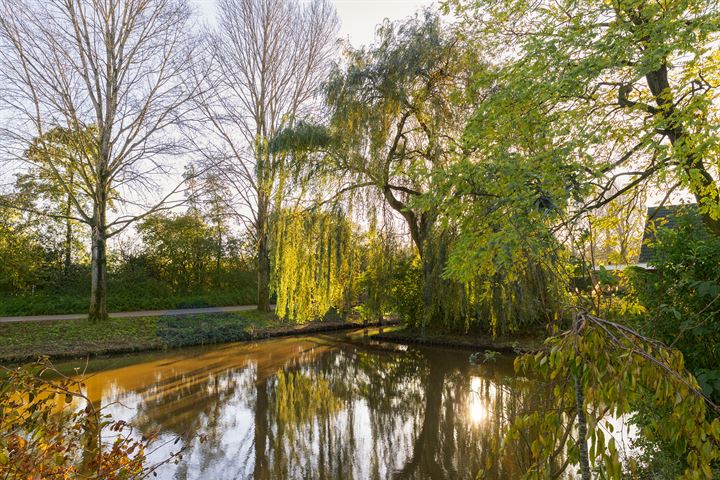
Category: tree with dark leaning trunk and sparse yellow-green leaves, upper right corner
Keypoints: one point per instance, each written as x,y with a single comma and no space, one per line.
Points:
629,88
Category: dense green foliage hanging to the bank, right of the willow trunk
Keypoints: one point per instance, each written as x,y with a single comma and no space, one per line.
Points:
506,192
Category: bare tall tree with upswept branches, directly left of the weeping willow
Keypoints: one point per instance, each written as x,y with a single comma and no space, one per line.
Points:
267,61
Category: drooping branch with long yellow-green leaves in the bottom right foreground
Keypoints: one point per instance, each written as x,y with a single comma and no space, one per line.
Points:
599,370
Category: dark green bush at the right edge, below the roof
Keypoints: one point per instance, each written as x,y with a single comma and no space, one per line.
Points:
681,296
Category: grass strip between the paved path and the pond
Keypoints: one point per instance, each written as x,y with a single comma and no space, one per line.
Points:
26,341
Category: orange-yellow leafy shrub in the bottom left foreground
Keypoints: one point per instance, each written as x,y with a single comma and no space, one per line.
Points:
49,429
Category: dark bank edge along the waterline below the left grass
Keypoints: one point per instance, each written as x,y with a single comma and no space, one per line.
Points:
253,334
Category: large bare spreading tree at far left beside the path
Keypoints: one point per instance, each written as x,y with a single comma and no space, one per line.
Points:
117,66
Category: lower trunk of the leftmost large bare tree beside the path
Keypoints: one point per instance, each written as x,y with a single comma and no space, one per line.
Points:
98,292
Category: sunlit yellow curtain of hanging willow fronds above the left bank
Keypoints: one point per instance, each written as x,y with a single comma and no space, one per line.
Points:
315,263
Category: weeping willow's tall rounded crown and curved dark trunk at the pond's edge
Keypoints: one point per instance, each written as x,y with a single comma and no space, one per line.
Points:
394,110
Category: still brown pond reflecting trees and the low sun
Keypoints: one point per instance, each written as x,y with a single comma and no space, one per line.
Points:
337,406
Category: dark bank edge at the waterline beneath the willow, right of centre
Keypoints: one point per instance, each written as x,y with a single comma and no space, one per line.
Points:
518,345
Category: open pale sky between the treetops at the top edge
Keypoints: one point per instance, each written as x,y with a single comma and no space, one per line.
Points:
358,18
